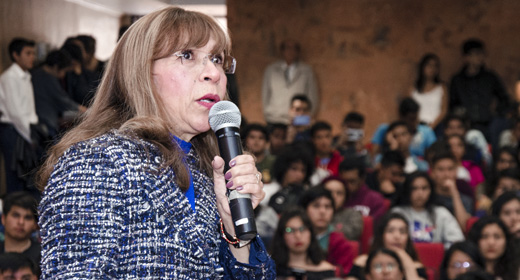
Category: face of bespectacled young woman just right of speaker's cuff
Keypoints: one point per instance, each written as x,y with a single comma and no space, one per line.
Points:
297,237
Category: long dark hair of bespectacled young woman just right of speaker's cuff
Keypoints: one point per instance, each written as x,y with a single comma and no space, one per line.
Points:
279,250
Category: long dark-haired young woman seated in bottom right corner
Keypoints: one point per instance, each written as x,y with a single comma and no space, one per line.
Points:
496,247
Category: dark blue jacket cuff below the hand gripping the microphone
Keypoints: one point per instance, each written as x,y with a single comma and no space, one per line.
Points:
260,266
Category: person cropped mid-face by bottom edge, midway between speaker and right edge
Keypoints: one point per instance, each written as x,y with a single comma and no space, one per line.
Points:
384,264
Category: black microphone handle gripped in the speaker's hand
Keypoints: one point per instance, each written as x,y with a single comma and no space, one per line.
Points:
229,145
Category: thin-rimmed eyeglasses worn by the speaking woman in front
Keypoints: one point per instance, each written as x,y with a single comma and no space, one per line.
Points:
190,58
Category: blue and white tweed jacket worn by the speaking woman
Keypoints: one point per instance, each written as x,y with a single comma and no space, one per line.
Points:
111,212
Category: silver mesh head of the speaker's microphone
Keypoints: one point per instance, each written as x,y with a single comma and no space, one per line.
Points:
224,114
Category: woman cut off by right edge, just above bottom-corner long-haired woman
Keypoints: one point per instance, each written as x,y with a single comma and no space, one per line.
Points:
507,208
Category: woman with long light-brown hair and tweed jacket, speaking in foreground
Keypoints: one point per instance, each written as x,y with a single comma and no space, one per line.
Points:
136,190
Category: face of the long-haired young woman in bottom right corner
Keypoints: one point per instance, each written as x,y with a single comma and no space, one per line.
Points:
492,244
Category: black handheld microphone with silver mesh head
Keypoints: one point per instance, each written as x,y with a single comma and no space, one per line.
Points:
225,119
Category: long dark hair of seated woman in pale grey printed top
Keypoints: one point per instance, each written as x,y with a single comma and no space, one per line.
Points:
405,199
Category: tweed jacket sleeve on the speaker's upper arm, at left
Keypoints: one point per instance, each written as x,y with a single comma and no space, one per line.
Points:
80,217
